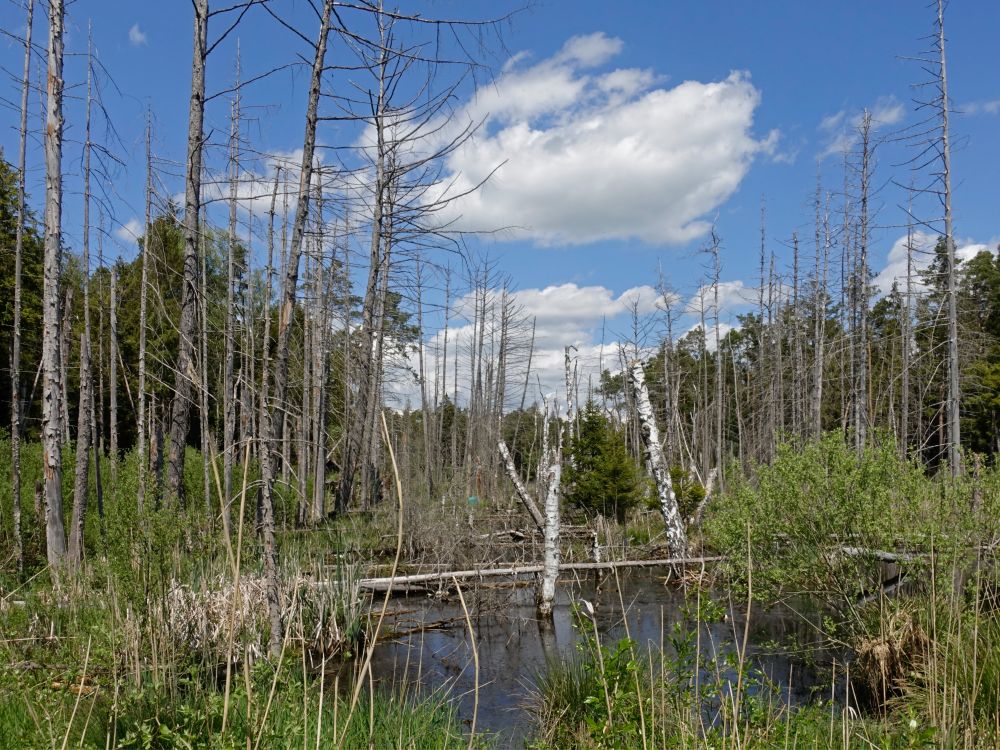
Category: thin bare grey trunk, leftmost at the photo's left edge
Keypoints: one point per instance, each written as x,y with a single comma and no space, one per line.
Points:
15,357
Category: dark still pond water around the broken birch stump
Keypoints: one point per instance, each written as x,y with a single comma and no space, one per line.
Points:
427,643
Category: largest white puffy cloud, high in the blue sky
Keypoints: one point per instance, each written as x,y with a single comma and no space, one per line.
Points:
586,155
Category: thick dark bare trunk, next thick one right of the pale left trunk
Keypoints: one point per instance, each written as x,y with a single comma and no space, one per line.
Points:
184,375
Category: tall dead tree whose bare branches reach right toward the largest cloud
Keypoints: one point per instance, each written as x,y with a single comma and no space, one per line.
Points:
409,133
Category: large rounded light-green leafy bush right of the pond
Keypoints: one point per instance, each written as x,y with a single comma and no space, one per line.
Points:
804,522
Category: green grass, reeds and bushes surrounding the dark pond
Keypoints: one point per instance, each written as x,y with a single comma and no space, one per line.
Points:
128,656
